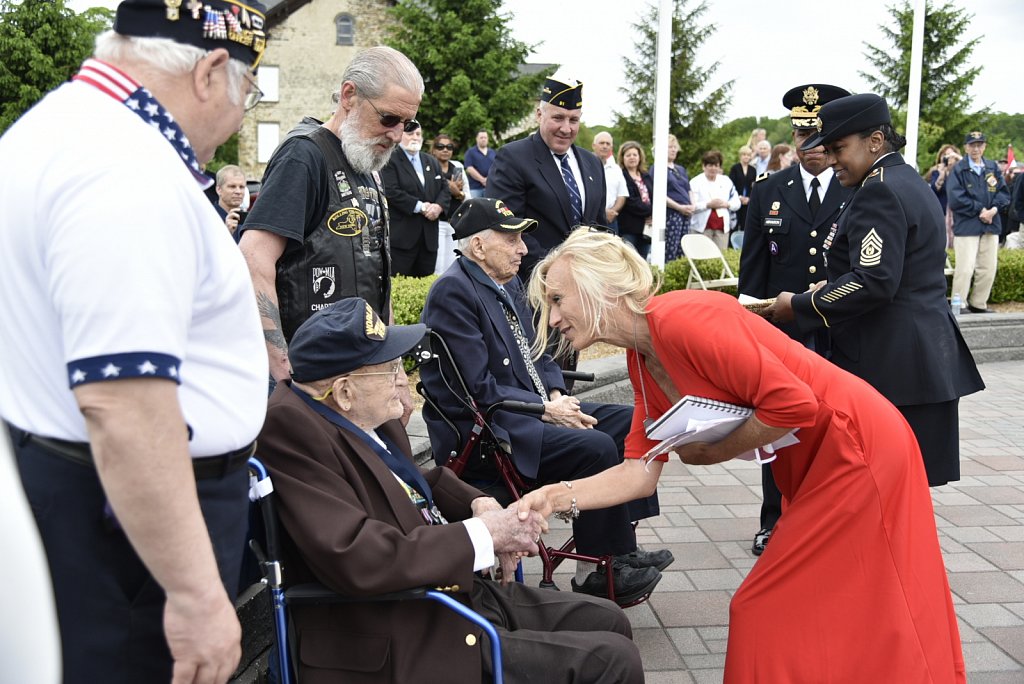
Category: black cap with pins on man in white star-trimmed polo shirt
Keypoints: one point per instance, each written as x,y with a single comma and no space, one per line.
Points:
237,27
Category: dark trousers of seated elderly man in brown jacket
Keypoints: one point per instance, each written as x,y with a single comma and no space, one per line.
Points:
558,636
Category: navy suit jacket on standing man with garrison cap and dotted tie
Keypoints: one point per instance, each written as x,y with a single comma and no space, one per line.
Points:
527,179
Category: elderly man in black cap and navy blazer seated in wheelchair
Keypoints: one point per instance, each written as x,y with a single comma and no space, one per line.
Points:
479,309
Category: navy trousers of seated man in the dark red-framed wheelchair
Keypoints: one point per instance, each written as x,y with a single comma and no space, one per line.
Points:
569,454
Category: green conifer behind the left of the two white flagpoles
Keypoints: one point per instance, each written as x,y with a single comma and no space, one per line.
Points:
695,109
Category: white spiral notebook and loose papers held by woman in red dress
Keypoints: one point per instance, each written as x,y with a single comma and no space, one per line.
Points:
701,419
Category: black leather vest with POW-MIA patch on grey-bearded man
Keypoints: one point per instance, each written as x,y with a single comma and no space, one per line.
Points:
349,254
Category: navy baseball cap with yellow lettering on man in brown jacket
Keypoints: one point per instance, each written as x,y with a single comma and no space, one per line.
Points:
346,337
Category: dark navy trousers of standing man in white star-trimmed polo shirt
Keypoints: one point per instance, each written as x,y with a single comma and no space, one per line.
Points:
110,609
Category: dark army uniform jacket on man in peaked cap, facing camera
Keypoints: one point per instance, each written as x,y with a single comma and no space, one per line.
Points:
783,245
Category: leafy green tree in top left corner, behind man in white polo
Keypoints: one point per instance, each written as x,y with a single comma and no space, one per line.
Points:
42,45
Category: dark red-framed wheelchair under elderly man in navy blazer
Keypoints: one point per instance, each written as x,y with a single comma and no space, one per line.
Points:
482,453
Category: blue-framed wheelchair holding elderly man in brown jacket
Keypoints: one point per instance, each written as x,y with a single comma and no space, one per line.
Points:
269,558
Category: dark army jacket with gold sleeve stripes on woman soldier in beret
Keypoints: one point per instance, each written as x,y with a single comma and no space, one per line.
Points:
885,305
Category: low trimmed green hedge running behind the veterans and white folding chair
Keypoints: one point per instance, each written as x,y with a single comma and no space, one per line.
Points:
408,294
